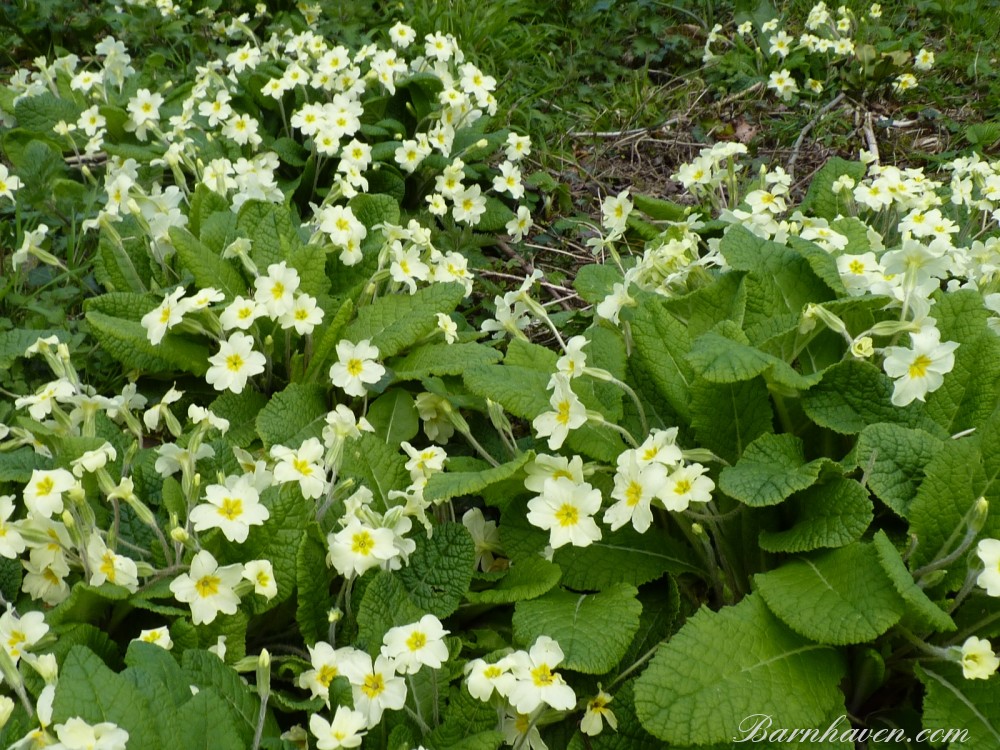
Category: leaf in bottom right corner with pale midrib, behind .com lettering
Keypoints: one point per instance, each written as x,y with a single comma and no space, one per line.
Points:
953,703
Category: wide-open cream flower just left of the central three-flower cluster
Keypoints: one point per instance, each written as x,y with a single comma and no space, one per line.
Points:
565,509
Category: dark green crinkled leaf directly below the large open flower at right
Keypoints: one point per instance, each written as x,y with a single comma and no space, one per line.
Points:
854,394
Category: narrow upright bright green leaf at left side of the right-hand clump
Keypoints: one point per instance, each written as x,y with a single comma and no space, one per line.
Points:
661,344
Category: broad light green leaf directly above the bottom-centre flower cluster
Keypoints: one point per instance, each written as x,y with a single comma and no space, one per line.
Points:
593,630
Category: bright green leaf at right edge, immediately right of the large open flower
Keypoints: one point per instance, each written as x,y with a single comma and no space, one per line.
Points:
970,391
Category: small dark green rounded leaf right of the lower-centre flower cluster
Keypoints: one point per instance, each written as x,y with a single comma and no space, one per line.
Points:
440,569
